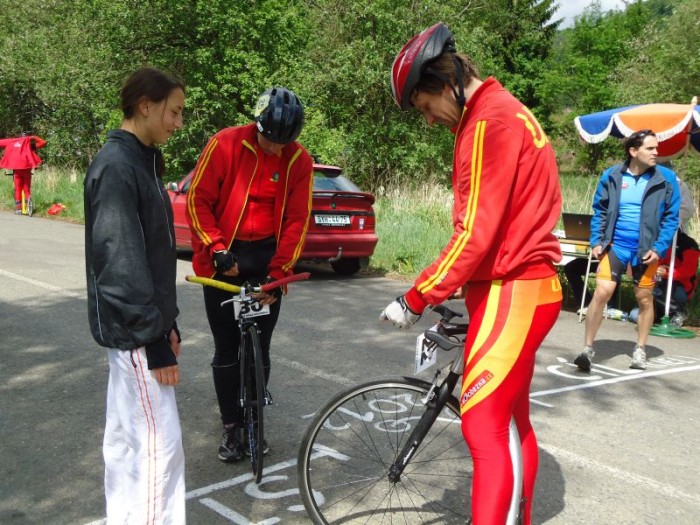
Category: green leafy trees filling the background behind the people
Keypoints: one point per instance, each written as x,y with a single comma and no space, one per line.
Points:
62,64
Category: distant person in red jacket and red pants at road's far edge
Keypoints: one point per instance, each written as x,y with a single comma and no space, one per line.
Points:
20,157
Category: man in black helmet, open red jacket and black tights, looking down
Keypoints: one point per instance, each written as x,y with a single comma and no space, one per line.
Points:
248,207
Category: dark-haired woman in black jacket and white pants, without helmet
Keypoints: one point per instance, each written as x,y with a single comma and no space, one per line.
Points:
131,263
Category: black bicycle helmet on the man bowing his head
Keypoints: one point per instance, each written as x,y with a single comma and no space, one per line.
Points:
279,115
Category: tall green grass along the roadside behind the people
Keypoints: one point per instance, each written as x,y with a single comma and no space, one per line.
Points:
413,224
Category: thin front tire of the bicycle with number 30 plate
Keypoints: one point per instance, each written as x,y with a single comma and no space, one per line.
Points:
254,401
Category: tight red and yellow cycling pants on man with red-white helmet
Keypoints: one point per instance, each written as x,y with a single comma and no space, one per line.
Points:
508,322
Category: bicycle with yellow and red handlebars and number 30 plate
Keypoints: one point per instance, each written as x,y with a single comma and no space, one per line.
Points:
253,396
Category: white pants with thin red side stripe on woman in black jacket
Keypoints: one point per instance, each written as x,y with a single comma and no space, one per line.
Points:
144,459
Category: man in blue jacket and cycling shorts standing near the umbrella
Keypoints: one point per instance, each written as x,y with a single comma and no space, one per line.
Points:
635,215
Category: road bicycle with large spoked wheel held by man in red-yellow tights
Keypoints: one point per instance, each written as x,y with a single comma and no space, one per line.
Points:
391,450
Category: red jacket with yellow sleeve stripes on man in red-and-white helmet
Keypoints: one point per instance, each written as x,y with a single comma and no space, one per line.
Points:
507,200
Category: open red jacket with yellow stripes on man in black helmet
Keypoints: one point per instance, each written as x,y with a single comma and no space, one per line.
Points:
219,191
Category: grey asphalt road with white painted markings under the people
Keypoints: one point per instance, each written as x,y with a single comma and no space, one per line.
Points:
616,446
